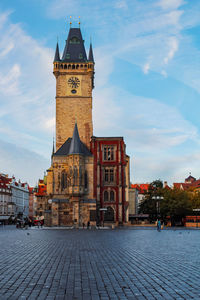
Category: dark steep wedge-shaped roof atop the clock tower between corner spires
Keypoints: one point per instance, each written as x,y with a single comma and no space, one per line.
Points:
74,49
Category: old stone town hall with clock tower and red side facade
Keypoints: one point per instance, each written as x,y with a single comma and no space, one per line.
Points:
89,176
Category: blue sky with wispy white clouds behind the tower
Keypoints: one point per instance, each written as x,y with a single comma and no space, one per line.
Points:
147,82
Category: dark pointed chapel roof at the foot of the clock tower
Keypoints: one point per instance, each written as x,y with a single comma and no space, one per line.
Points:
73,146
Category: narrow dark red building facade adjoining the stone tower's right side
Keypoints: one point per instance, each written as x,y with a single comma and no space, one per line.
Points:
111,177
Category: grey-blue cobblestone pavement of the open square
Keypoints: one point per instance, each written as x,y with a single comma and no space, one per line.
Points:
99,264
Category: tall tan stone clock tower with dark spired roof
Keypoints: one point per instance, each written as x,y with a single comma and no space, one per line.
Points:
74,74
